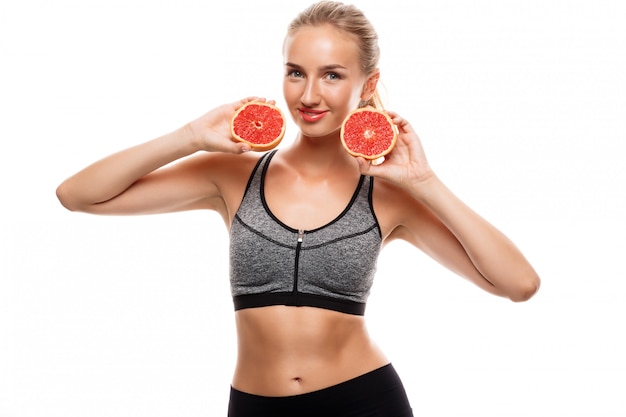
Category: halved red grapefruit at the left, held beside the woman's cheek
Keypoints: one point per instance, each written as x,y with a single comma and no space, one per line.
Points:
261,125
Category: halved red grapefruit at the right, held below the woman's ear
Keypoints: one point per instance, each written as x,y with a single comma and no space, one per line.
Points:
369,133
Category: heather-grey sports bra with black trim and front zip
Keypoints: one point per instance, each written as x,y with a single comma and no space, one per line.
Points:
330,267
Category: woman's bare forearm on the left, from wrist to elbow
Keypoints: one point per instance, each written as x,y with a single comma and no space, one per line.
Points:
112,175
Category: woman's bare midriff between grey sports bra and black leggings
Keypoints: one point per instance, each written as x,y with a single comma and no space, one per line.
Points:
293,350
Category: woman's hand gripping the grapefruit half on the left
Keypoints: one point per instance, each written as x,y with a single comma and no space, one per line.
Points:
211,132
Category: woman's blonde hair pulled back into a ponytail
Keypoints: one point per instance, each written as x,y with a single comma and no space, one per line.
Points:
348,19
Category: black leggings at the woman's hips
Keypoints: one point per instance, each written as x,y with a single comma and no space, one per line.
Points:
378,393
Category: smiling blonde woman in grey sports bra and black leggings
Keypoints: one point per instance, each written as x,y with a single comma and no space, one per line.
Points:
303,347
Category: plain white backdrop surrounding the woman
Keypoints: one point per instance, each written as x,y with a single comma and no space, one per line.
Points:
521,108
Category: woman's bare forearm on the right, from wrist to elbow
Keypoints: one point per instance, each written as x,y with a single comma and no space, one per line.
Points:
493,255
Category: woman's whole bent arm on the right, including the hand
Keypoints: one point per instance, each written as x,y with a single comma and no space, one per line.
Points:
437,221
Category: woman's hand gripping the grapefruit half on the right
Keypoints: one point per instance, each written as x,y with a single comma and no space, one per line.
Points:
406,164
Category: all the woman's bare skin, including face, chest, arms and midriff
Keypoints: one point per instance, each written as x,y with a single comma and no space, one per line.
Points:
292,350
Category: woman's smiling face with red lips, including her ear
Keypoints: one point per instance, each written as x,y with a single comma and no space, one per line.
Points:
323,79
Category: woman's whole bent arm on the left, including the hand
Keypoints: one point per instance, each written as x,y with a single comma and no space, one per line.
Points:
137,181
